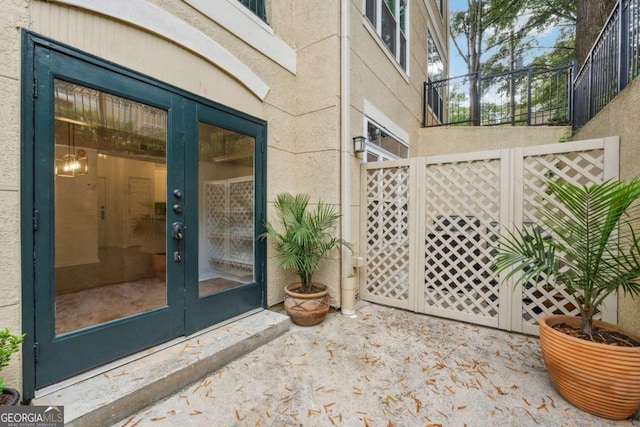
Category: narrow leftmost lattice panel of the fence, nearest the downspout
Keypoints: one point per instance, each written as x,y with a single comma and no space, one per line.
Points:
387,235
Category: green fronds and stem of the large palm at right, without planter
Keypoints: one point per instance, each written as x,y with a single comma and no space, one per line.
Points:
589,246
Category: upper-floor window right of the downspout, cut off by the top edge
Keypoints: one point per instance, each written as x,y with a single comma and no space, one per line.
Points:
389,18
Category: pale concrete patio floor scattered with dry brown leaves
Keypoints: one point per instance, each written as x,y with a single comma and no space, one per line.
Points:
387,367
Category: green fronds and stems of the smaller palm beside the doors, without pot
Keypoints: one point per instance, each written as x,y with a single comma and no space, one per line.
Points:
306,237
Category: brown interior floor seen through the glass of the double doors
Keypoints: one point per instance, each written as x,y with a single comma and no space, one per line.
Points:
102,304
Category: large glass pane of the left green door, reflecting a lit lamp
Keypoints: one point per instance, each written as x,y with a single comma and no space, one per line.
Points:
110,207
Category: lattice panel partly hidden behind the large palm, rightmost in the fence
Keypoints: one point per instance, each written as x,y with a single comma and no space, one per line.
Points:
583,167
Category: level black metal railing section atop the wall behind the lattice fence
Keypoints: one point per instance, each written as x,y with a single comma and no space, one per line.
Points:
520,97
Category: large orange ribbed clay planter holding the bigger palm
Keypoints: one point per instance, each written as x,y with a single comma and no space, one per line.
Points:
601,379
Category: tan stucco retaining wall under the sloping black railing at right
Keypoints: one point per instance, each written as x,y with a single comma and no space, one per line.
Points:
620,118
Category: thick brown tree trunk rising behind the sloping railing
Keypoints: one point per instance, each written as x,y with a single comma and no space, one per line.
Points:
591,17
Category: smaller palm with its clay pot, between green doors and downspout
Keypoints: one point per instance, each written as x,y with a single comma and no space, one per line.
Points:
304,237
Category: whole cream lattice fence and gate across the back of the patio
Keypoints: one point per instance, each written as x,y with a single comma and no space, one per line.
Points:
430,225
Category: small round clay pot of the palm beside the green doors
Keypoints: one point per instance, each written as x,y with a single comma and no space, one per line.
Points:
306,309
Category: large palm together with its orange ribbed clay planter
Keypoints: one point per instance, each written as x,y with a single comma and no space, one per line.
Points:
587,245
